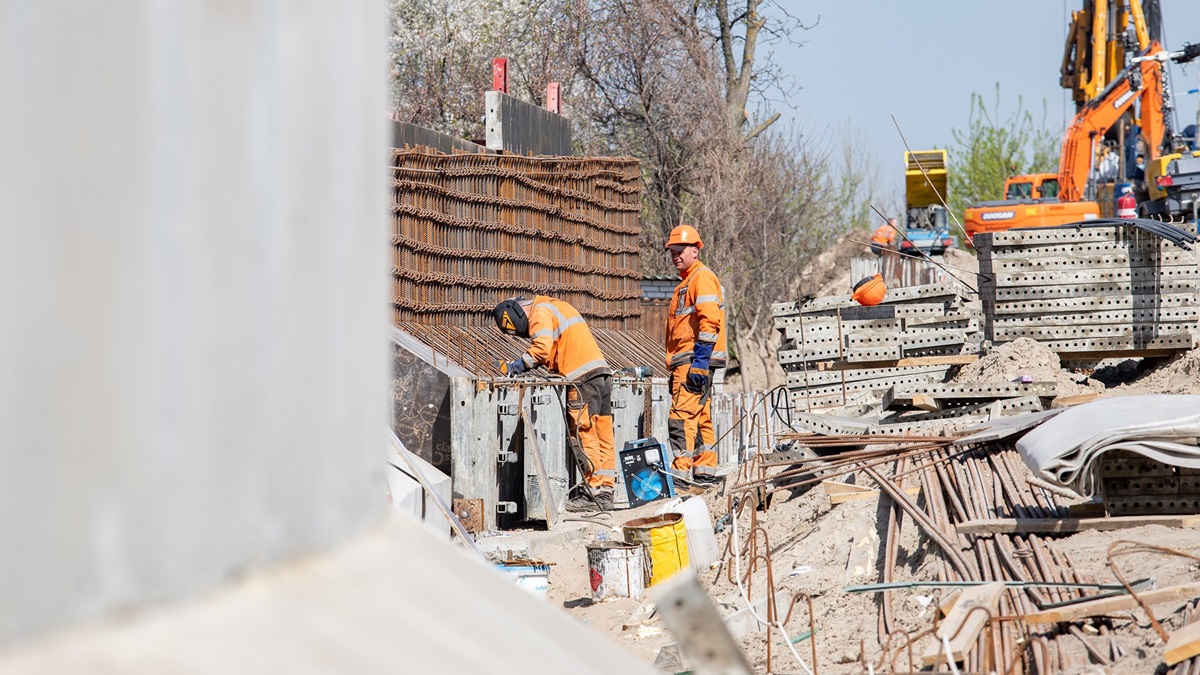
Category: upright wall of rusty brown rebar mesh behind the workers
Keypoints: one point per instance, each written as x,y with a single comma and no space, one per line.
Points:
472,230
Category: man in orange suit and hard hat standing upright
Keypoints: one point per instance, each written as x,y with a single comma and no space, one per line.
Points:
695,347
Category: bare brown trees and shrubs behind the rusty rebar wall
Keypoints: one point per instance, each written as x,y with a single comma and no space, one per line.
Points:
686,88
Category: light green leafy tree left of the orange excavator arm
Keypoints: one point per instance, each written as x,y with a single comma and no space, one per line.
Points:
994,148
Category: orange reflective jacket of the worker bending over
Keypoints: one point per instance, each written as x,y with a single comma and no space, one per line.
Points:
562,342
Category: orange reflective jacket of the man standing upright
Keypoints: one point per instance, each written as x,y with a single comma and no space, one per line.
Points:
697,315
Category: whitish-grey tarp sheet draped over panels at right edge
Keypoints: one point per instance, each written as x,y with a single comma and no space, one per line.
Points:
1161,427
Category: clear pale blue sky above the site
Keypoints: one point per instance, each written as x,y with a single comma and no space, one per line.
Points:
922,59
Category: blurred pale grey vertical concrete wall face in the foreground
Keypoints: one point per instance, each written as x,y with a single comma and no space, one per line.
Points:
194,290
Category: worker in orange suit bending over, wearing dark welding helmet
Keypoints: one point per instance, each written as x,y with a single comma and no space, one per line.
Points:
563,344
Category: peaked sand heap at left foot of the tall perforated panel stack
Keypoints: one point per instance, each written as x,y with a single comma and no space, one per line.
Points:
1024,357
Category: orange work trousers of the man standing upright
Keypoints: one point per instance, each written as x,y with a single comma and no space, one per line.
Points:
691,427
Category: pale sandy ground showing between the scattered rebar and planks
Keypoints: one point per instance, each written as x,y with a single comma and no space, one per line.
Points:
814,540
